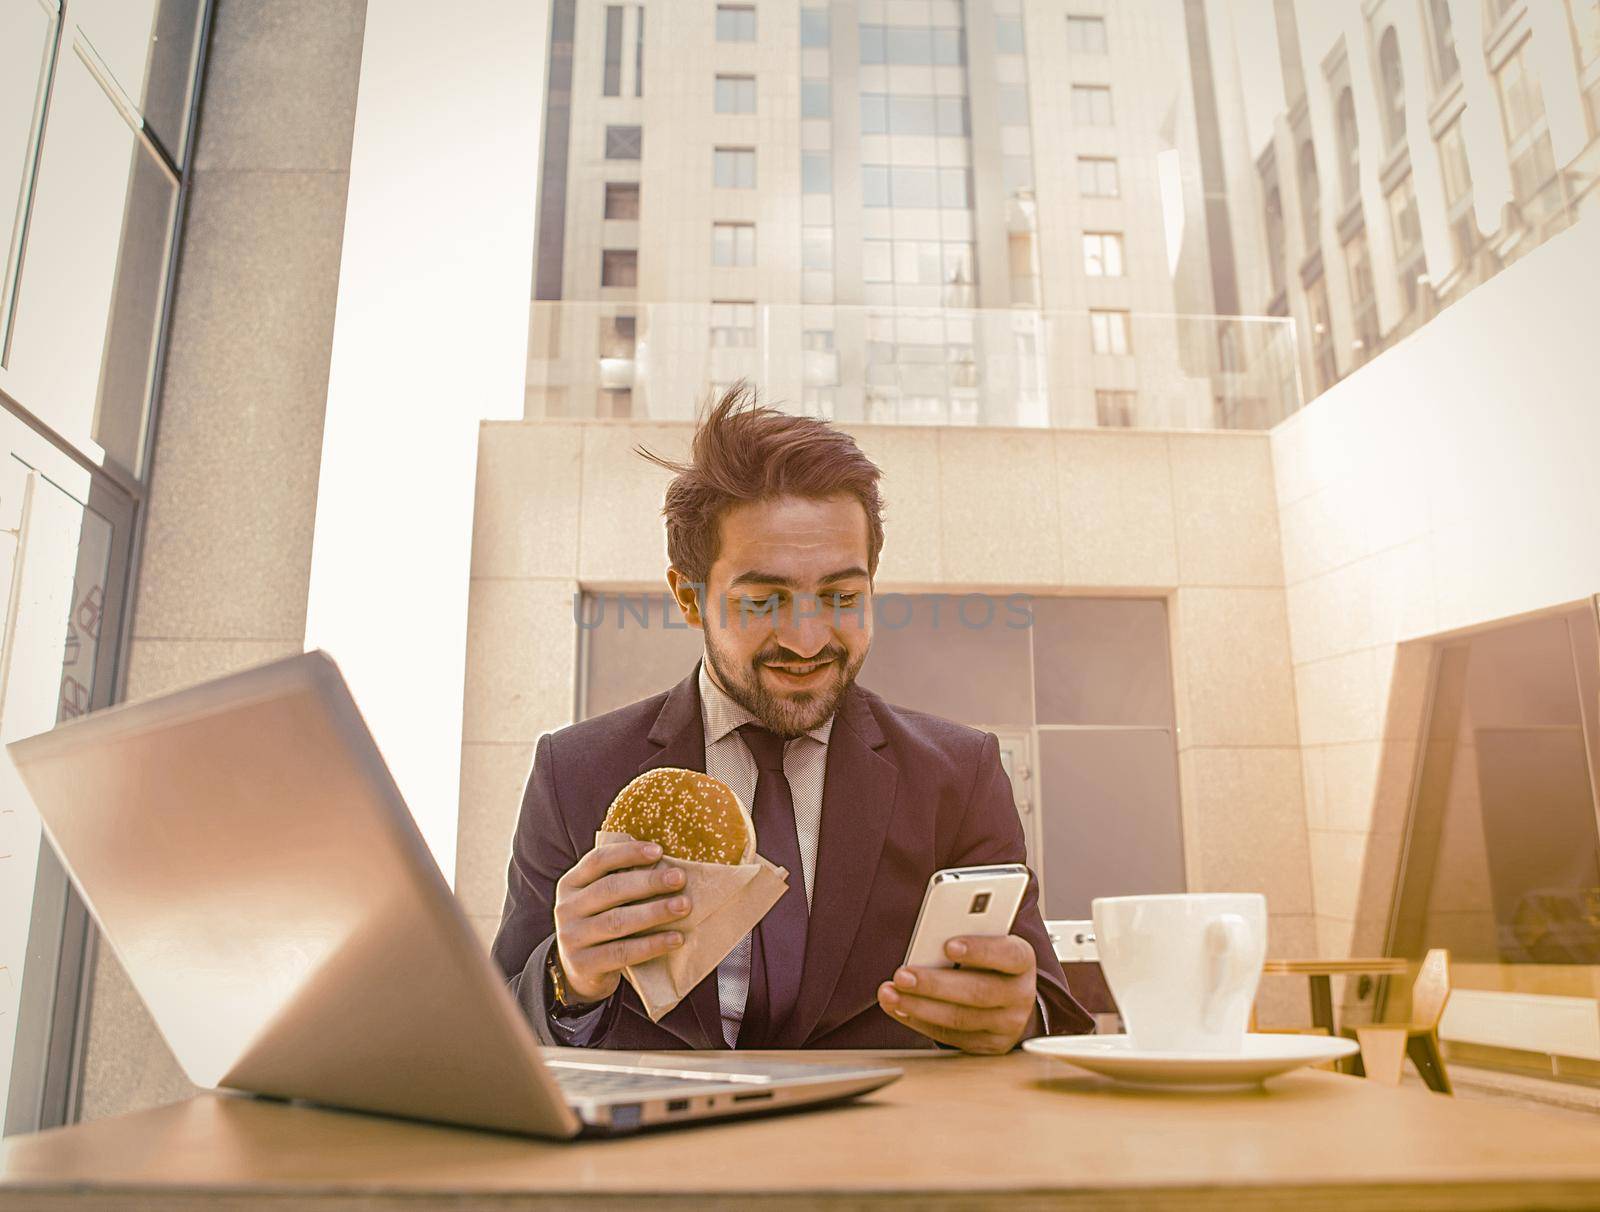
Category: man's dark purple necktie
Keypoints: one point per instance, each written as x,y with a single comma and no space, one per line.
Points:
778,944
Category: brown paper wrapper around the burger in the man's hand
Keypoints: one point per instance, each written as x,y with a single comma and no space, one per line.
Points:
727,903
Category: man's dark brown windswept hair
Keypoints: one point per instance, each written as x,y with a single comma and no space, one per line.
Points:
745,452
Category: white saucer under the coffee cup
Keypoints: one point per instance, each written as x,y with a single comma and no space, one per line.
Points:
1262,1058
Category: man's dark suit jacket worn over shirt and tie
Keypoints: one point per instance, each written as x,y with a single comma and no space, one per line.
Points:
905,795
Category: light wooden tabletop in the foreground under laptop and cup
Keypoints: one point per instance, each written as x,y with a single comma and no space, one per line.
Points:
953,1133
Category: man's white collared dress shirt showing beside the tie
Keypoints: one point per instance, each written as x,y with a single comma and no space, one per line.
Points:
729,759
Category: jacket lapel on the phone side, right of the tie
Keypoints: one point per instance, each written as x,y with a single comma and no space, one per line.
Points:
858,802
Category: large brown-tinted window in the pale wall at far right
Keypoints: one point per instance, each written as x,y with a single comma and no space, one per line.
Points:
1505,853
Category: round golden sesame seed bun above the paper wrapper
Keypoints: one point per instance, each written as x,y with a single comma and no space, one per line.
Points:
689,815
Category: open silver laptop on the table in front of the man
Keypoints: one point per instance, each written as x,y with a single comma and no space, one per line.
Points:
252,864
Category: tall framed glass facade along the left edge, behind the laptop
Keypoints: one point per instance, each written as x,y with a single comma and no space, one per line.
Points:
95,126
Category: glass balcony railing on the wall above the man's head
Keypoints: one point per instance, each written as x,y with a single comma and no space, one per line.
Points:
914,365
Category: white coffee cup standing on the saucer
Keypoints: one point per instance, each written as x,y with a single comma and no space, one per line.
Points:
1185,967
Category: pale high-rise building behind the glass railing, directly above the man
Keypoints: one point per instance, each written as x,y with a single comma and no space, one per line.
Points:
1014,212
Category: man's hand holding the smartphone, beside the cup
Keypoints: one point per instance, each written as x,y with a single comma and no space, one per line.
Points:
985,1007
